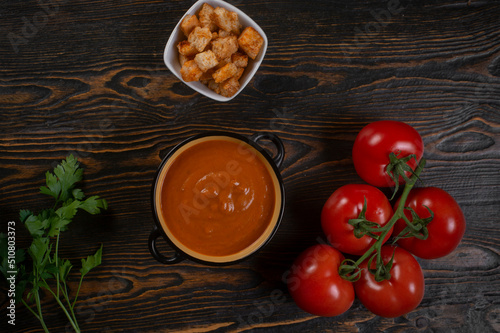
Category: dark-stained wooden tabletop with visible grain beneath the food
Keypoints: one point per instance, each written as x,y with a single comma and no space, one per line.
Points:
88,78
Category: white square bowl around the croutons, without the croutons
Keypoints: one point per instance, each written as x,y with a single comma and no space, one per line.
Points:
171,54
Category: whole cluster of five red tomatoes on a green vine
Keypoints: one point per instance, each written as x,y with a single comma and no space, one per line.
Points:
379,239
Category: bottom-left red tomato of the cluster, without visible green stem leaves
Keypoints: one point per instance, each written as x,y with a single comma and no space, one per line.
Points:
315,284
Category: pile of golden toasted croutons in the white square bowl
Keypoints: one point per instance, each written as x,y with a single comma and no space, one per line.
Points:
215,52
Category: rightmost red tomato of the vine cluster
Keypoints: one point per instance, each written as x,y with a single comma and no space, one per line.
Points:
446,229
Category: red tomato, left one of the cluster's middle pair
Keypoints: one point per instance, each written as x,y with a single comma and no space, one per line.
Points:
346,203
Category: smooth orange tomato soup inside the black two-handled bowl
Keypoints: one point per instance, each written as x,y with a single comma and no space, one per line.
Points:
218,197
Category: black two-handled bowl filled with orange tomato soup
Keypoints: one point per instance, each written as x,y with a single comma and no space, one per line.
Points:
217,198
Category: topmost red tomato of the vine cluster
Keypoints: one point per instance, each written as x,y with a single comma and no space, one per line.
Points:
376,141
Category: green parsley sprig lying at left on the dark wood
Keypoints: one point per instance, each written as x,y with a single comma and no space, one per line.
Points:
45,228
